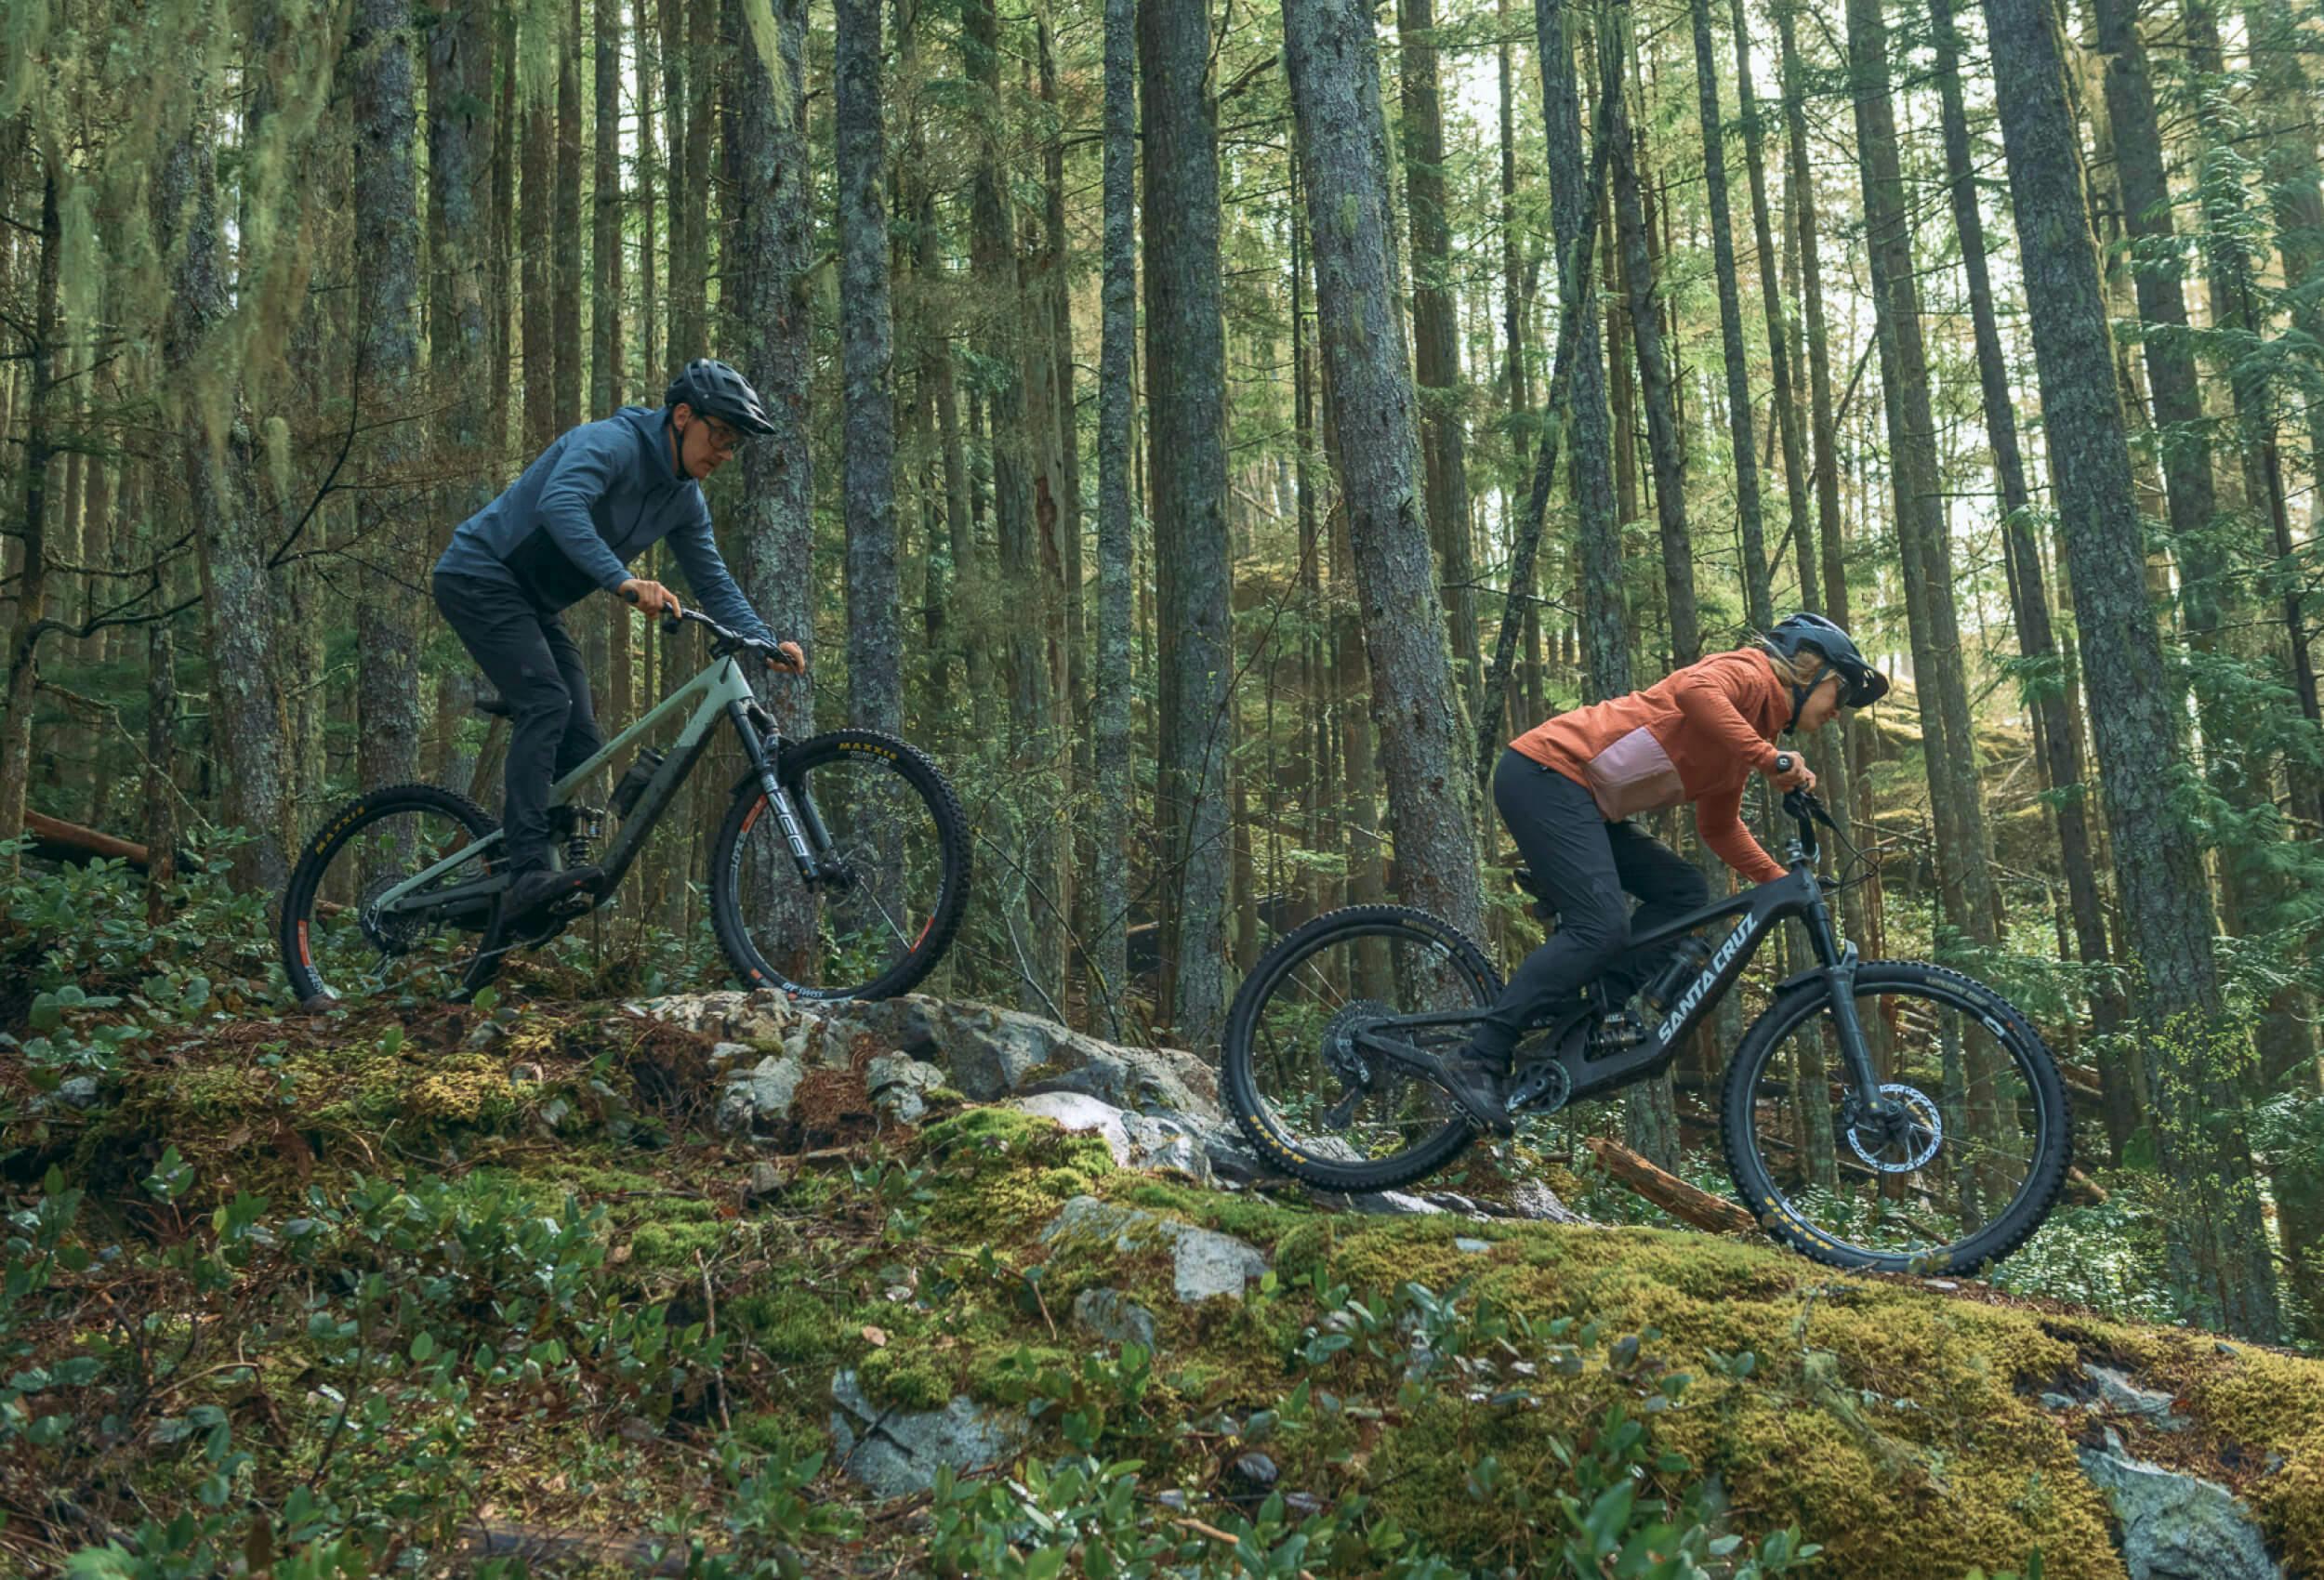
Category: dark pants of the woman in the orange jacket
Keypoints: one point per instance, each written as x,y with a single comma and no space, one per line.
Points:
1588,870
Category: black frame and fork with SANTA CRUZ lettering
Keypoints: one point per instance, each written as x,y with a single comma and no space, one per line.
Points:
1758,910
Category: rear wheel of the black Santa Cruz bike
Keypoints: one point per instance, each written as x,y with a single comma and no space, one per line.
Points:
1319,1105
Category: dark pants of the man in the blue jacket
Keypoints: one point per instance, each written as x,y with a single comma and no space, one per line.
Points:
538,670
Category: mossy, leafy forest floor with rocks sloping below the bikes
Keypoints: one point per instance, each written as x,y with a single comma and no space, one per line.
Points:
471,1284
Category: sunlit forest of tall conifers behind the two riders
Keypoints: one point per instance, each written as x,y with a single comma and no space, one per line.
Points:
1210,431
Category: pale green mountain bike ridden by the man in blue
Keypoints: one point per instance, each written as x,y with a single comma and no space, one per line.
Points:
840,872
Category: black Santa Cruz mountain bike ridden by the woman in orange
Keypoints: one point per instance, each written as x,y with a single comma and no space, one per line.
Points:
1879,1114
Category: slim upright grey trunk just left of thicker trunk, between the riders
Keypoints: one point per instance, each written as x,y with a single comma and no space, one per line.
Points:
1117,401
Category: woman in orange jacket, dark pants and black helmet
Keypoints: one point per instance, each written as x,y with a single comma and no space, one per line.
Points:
1570,787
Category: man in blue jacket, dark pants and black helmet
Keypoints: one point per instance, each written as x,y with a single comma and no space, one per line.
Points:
594,501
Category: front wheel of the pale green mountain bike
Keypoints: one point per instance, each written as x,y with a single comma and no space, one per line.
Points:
894,854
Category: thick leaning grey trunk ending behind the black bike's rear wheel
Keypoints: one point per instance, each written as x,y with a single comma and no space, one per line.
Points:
1423,740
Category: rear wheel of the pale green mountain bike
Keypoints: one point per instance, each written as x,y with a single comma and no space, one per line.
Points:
336,940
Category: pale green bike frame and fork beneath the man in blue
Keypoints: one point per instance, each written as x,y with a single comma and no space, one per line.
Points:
719,691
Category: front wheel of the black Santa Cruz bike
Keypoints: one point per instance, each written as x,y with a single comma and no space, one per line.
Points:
1958,1175
